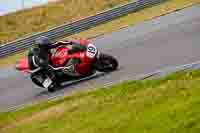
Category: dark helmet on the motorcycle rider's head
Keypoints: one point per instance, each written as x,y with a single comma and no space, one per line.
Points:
43,42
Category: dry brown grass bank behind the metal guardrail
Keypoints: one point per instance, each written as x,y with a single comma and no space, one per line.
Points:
53,14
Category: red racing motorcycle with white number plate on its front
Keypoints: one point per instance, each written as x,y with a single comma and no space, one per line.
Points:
91,61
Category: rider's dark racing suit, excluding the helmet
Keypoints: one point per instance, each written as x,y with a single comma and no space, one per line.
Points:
38,57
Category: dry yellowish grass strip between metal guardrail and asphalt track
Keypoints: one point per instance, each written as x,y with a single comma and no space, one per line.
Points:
131,19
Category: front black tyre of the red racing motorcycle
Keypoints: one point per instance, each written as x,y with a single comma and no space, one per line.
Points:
106,63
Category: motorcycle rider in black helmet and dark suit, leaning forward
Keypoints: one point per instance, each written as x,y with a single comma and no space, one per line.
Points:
38,56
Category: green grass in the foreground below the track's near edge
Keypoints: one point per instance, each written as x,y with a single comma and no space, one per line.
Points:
165,105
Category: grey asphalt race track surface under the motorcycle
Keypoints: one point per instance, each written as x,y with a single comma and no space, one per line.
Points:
170,40
